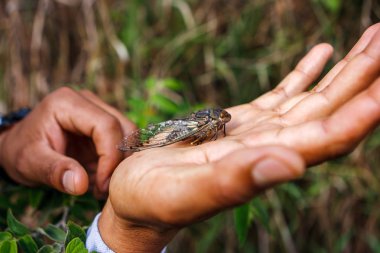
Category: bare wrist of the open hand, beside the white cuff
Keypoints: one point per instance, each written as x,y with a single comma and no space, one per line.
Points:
122,235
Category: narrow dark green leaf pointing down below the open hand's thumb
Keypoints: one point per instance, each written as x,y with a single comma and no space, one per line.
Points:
241,217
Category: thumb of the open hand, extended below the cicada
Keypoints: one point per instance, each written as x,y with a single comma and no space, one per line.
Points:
244,173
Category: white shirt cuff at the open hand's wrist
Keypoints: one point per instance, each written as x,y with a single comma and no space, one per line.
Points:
94,241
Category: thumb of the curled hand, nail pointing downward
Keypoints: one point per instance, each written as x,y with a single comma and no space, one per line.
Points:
58,171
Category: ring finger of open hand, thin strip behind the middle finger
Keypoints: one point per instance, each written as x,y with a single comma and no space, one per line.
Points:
358,48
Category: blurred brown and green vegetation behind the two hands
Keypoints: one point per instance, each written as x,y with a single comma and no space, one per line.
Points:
157,59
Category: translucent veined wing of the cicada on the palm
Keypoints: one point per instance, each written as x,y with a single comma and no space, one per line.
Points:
162,134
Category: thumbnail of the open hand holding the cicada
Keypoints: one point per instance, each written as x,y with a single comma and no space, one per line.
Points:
270,171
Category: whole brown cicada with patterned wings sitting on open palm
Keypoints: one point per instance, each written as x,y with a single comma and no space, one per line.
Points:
196,128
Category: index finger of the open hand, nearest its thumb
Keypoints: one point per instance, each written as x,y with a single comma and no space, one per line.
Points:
338,134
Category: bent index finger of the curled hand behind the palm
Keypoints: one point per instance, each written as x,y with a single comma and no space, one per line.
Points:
92,121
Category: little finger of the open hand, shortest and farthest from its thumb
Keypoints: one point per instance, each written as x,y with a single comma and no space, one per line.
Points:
306,71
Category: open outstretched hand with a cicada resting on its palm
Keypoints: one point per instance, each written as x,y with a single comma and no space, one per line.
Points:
155,192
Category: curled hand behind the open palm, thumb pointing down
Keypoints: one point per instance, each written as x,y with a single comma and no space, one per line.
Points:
68,142
